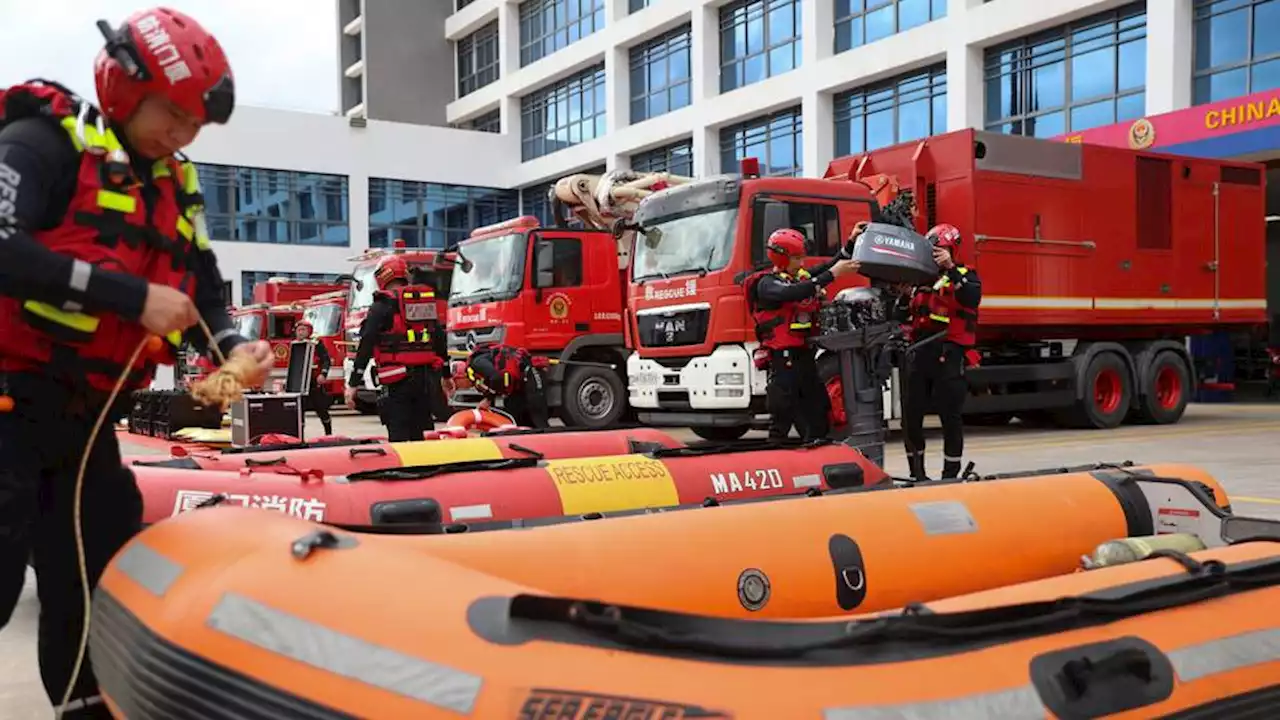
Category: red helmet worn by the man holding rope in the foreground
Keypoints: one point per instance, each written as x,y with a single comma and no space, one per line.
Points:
163,52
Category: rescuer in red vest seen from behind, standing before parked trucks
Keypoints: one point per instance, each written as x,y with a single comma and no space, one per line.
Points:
404,336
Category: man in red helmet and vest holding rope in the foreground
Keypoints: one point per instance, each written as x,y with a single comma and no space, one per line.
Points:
103,244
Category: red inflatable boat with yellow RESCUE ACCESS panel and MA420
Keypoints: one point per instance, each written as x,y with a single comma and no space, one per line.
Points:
518,487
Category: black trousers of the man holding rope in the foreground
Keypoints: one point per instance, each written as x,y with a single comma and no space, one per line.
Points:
42,443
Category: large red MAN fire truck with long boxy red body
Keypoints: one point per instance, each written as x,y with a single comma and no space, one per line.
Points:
1098,263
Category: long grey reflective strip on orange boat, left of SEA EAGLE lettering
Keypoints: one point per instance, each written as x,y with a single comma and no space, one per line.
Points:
312,644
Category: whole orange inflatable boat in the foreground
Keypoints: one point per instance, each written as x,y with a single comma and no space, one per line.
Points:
220,610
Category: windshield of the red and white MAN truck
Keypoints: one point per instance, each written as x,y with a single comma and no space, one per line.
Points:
688,244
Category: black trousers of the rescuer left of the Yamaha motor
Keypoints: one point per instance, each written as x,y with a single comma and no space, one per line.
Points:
797,397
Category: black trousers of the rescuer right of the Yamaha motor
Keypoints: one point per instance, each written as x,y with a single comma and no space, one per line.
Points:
935,376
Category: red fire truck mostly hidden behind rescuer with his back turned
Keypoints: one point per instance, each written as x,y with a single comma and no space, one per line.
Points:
431,267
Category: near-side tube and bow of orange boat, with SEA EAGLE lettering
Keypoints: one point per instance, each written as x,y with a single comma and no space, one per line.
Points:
218,610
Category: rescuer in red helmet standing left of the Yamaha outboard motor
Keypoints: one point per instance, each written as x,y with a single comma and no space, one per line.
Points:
784,302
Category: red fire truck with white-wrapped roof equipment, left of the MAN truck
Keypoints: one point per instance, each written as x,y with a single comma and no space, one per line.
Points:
557,293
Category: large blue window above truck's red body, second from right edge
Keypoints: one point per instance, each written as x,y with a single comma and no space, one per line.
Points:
1075,78
